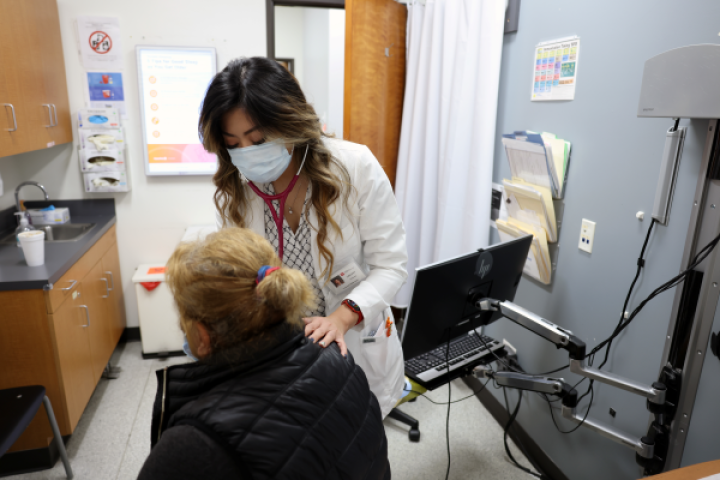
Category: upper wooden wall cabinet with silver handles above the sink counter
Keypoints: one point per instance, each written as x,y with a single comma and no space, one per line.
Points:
34,107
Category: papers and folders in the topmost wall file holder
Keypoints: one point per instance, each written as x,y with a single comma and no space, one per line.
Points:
539,159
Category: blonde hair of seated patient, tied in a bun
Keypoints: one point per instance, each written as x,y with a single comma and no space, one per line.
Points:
213,282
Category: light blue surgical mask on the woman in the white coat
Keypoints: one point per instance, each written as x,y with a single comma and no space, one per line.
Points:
261,163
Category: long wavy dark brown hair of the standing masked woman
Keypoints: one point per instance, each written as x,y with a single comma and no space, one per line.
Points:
273,99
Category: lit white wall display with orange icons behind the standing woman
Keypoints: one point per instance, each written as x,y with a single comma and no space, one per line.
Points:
173,82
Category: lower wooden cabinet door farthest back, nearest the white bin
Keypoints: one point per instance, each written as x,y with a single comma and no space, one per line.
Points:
96,294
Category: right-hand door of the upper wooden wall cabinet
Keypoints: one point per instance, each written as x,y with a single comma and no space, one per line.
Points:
53,73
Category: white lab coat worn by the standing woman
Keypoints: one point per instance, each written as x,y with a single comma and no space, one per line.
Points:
374,237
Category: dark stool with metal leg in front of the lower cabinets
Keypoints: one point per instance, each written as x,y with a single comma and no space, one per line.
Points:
18,407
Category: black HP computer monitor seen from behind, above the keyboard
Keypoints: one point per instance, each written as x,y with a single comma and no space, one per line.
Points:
443,300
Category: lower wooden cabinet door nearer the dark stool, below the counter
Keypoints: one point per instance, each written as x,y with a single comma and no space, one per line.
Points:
73,345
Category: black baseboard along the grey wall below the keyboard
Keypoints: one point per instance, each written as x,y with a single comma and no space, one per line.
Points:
536,455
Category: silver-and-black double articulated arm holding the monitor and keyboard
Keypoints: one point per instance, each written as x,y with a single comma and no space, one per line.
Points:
562,338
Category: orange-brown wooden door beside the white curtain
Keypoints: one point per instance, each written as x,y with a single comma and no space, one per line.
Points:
375,77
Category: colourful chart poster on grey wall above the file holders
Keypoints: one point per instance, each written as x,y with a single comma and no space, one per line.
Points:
555,70
